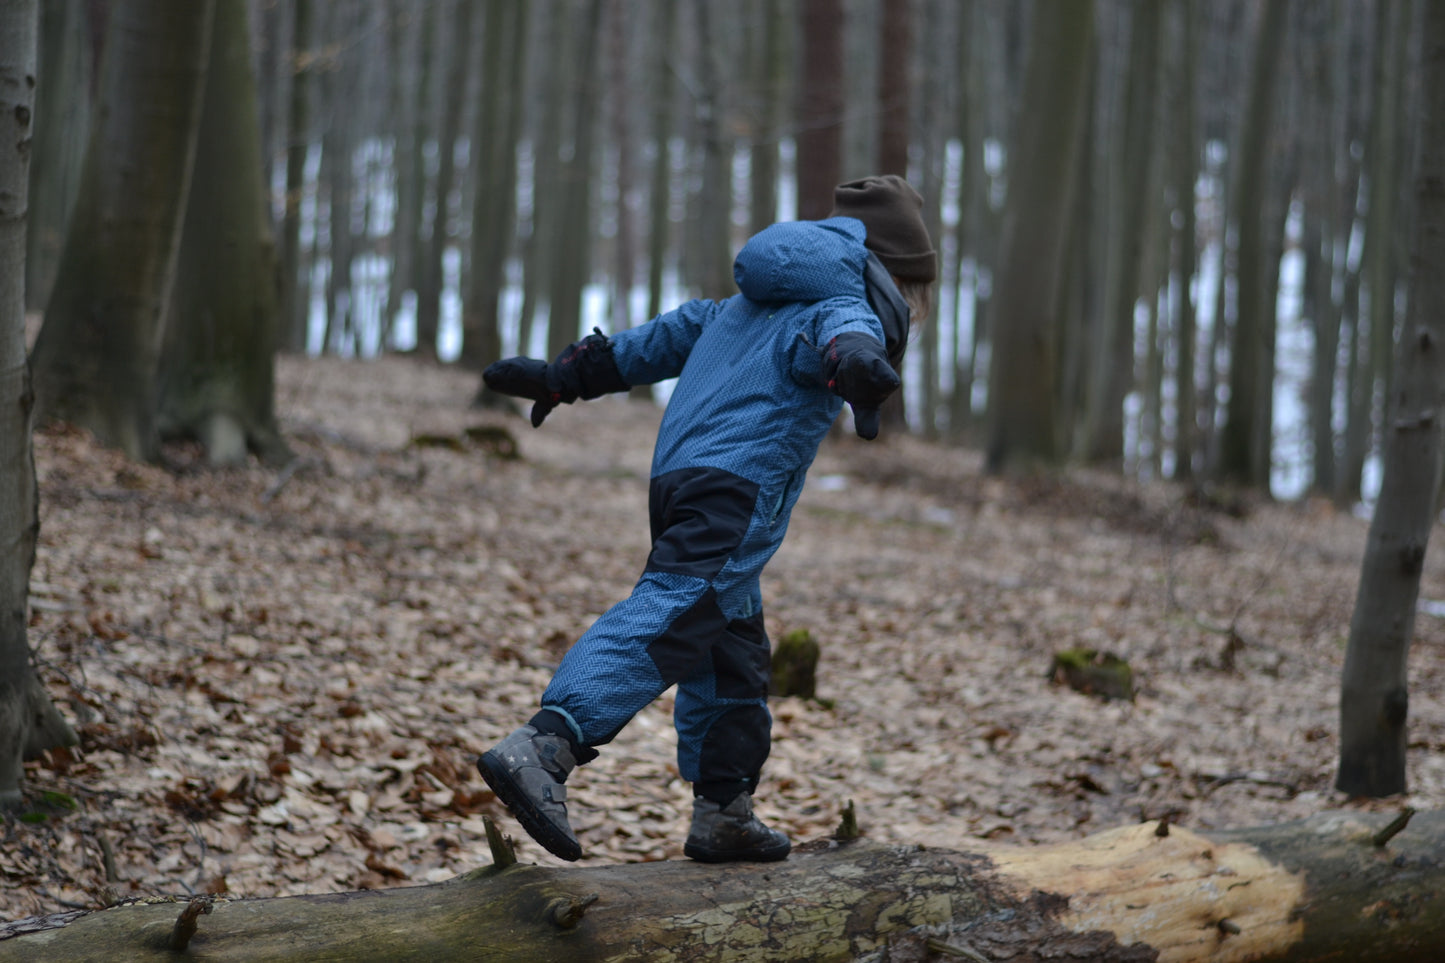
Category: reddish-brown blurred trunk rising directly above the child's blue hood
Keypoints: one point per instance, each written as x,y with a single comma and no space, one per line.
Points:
820,109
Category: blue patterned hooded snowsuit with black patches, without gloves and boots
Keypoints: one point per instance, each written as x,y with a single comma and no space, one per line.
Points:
742,429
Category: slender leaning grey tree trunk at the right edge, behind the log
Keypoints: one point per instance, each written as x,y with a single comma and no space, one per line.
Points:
1373,698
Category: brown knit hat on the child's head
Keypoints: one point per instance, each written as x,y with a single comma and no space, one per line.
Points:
894,213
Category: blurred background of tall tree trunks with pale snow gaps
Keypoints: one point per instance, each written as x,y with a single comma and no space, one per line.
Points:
1219,196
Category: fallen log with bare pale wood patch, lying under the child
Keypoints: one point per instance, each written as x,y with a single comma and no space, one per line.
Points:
1334,887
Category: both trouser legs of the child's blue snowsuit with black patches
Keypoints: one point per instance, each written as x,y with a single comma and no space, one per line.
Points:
694,620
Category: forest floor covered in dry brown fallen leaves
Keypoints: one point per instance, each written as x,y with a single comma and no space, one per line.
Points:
282,679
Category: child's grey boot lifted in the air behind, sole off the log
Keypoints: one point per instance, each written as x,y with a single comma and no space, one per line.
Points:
527,771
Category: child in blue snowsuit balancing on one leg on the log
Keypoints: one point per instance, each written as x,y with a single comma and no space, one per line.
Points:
823,317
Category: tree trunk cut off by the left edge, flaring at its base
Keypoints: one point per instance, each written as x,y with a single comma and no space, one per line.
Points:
30,724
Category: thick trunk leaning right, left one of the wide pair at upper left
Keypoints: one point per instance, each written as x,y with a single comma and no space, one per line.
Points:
98,354
